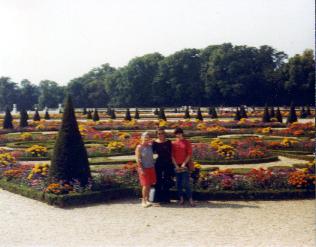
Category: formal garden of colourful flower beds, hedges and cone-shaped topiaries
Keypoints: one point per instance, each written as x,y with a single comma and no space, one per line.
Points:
87,156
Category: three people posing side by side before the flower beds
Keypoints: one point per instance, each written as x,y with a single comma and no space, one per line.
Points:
173,159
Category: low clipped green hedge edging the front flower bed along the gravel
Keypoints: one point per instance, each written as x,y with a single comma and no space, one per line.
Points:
93,197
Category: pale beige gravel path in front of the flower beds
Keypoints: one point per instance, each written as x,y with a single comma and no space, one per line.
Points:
25,222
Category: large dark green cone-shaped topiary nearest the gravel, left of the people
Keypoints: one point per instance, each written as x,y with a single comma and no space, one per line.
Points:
70,159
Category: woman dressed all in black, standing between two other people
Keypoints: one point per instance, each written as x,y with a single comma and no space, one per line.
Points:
164,167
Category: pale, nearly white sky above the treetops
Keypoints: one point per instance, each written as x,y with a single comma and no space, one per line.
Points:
63,39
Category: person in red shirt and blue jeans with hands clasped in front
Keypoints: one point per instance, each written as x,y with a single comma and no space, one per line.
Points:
181,158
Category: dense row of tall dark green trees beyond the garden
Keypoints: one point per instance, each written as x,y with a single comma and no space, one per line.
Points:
217,75
